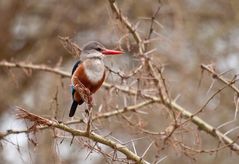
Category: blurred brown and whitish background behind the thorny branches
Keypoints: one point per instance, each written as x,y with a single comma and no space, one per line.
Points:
190,33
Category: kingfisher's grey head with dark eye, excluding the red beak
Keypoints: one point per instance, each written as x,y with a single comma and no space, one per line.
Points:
92,49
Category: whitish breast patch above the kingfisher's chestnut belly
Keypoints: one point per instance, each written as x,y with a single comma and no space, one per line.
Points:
94,69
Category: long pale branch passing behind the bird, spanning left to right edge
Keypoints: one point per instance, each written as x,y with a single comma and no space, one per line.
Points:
202,125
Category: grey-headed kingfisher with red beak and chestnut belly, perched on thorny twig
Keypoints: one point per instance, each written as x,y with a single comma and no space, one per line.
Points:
89,71
